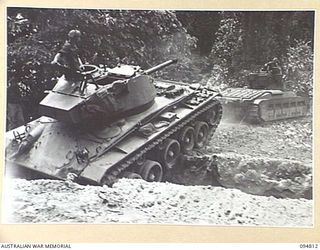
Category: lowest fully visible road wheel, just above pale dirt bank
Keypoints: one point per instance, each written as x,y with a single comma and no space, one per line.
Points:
151,171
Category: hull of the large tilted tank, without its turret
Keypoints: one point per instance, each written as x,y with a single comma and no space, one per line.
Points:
101,154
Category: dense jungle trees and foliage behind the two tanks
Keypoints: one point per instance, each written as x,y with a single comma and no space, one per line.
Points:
212,47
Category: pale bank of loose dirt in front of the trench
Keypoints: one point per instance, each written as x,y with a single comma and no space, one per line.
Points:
136,201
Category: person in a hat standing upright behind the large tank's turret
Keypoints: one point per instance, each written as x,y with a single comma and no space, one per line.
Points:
68,56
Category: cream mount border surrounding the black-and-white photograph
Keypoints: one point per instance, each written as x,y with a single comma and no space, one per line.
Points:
102,233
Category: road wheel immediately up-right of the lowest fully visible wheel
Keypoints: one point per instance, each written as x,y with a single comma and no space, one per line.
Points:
169,152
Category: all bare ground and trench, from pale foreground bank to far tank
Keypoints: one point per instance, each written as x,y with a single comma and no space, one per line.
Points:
265,178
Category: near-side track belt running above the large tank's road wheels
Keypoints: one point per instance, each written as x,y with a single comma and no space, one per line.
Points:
113,174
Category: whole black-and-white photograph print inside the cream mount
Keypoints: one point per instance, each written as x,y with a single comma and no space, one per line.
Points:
175,117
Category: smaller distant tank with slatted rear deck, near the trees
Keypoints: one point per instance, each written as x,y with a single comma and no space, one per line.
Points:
265,100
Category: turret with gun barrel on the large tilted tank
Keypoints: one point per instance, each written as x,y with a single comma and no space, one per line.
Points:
101,94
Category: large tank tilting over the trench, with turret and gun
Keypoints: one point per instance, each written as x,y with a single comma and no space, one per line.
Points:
107,123
